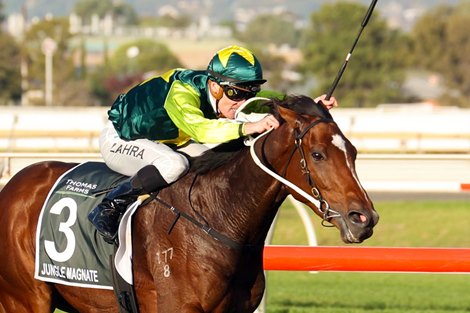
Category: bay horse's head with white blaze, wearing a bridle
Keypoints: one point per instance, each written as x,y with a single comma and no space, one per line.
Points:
313,154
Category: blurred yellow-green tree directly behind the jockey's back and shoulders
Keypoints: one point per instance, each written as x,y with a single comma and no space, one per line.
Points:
130,64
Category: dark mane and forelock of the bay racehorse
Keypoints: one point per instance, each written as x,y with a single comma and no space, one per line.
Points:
225,152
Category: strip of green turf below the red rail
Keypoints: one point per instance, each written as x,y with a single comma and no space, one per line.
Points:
362,292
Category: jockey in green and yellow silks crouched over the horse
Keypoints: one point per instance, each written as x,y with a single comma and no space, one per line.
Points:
176,112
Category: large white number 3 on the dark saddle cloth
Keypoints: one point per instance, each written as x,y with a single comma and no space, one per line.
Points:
64,227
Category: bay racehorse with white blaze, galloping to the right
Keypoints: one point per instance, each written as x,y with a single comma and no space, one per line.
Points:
229,203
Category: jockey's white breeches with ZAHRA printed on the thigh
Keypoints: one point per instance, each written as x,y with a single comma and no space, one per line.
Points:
127,157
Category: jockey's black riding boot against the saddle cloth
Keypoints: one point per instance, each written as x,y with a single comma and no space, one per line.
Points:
107,215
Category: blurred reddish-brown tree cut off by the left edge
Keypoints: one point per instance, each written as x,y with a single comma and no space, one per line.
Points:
10,78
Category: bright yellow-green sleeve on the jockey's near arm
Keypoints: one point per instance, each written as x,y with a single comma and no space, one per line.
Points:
183,106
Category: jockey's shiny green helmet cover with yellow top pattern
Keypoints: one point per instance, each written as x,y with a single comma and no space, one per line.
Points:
236,65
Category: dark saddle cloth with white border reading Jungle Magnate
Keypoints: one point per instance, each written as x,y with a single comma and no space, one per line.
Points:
69,250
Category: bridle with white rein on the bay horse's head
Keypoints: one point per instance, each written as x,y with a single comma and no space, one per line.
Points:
315,197
